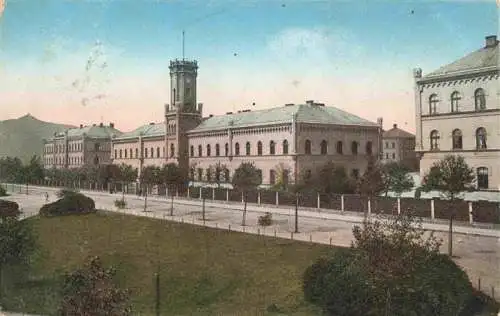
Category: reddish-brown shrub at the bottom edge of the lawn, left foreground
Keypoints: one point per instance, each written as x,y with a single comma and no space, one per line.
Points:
91,292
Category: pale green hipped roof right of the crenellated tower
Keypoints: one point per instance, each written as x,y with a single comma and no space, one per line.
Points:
305,113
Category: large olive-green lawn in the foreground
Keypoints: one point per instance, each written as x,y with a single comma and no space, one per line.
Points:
203,271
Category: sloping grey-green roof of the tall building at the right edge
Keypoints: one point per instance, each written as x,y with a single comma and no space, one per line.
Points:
482,59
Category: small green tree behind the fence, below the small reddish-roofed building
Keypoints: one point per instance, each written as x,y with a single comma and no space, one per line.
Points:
396,178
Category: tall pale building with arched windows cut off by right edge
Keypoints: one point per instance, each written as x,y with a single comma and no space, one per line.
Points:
458,112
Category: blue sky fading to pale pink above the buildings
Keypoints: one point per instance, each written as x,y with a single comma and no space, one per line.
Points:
90,61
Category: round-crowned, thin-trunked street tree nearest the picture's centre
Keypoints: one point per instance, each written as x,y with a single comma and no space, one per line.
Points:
246,177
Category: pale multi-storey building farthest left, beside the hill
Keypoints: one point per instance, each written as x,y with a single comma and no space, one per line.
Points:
78,147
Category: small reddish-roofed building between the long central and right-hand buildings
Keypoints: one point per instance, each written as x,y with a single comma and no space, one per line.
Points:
399,146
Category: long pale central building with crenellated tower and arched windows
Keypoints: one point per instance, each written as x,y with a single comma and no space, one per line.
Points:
283,142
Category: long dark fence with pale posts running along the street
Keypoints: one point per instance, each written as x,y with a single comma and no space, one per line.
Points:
466,211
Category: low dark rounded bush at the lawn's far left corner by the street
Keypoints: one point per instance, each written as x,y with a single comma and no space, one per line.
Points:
72,203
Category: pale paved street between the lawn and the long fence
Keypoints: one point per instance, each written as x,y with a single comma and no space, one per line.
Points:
478,255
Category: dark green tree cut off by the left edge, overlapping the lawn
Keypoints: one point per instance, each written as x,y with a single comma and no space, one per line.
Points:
17,239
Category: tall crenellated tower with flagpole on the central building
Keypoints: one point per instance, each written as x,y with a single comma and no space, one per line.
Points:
183,113
